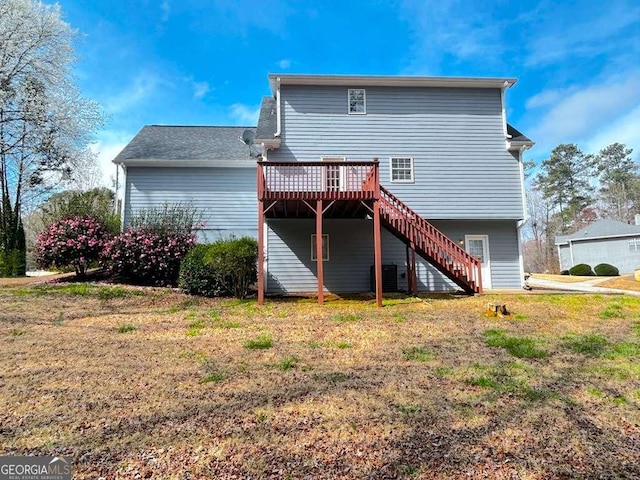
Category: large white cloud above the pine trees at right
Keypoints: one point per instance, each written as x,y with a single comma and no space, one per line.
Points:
593,115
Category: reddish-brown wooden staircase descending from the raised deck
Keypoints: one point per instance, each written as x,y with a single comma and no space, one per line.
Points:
430,243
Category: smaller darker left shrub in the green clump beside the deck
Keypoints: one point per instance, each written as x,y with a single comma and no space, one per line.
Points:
196,277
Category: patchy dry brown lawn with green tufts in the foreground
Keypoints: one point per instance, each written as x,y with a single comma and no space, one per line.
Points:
153,384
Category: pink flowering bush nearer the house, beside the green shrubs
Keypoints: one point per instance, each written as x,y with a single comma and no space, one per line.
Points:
147,256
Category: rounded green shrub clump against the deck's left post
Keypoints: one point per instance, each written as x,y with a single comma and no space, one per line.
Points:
226,267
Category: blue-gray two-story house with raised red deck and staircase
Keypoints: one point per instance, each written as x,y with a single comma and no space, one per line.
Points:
354,183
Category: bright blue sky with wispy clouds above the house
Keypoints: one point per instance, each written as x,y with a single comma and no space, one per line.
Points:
198,62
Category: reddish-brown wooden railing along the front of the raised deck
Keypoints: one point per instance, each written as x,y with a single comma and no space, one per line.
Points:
318,180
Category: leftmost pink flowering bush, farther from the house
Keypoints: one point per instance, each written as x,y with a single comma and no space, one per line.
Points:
75,242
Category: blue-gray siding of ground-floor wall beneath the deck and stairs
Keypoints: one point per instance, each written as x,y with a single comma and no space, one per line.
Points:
290,269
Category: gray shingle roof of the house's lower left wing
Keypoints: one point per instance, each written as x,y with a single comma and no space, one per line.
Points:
165,144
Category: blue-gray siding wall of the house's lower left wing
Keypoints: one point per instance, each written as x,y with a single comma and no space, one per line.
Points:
225,197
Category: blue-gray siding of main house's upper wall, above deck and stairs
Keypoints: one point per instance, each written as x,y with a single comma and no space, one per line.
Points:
462,168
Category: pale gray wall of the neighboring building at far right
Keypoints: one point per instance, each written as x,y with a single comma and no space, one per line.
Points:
614,251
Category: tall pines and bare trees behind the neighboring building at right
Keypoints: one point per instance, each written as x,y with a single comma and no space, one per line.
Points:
571,189
